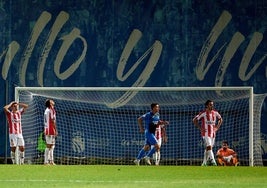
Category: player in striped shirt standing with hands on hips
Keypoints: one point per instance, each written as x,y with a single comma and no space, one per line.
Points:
211,121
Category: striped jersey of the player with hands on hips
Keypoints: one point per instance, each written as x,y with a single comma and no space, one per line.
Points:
208,122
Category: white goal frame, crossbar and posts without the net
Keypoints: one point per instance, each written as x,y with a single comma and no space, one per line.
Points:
130,90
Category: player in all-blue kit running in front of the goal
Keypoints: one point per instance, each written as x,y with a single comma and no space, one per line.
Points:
147,124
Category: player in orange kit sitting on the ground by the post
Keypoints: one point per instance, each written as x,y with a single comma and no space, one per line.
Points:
226,156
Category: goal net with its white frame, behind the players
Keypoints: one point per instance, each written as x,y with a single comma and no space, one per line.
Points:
99,125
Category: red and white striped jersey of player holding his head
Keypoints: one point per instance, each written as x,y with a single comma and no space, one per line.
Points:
14,121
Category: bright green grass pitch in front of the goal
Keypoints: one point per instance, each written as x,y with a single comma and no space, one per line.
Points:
131,176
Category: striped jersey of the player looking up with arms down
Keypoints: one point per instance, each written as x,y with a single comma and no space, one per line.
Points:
49,121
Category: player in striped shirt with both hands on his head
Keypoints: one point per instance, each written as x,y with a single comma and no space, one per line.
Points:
13,114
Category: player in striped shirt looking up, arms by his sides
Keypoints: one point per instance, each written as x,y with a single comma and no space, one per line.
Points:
50,131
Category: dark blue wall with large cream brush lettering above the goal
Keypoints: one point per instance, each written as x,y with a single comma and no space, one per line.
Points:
99,42
